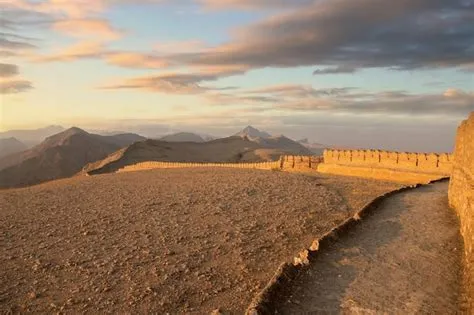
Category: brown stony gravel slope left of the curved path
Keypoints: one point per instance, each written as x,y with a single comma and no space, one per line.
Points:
177,241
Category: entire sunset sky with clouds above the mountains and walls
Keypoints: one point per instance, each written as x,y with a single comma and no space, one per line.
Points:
395,75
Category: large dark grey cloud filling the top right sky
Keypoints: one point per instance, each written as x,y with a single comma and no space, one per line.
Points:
398,35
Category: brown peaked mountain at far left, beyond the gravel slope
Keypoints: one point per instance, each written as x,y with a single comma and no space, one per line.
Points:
61,155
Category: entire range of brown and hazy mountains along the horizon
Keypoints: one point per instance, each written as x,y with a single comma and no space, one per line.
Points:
74,150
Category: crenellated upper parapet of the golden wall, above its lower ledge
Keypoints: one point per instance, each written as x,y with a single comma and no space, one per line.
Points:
431,163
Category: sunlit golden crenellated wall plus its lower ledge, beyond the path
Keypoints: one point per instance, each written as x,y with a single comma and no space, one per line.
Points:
383,165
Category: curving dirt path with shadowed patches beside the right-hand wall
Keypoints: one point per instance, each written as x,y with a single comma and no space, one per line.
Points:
404,259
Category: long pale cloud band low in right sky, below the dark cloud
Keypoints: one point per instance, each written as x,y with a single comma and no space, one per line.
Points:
301,98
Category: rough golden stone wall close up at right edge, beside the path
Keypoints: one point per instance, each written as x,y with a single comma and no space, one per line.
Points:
461,196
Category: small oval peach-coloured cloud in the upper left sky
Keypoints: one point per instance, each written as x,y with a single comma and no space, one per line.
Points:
96,28
